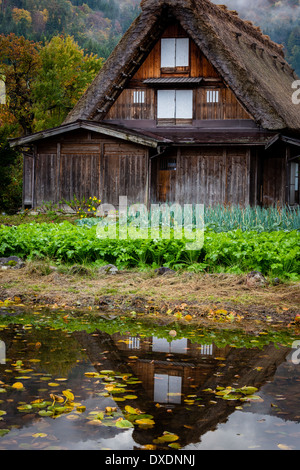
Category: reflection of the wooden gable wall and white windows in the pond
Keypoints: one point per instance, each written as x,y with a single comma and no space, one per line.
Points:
169,369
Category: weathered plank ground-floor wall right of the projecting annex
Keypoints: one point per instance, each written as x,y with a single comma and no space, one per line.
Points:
204,175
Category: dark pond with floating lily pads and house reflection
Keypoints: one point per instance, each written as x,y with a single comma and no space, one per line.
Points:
127,384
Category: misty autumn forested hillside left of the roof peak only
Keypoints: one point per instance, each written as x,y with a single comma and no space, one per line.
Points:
96,25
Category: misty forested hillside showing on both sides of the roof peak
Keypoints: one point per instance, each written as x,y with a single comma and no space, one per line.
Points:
97,25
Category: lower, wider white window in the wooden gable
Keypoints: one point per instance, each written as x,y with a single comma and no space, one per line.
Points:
174,104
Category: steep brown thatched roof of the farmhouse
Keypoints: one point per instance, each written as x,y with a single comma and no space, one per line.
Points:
251,64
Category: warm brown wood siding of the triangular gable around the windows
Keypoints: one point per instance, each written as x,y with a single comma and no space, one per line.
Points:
228,106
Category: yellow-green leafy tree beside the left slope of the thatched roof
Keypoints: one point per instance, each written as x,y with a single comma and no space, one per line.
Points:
64,75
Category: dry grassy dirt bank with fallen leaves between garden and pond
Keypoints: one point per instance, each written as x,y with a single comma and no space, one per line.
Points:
217,297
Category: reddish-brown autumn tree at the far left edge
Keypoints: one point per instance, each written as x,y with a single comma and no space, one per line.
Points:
19,63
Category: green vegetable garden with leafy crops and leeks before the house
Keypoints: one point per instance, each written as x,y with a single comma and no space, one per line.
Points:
235,240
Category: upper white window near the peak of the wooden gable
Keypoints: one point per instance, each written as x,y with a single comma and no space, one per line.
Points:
174,52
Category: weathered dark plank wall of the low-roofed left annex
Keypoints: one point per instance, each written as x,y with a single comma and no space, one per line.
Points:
86,164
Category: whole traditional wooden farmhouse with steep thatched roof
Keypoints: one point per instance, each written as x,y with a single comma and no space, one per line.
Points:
194,105
